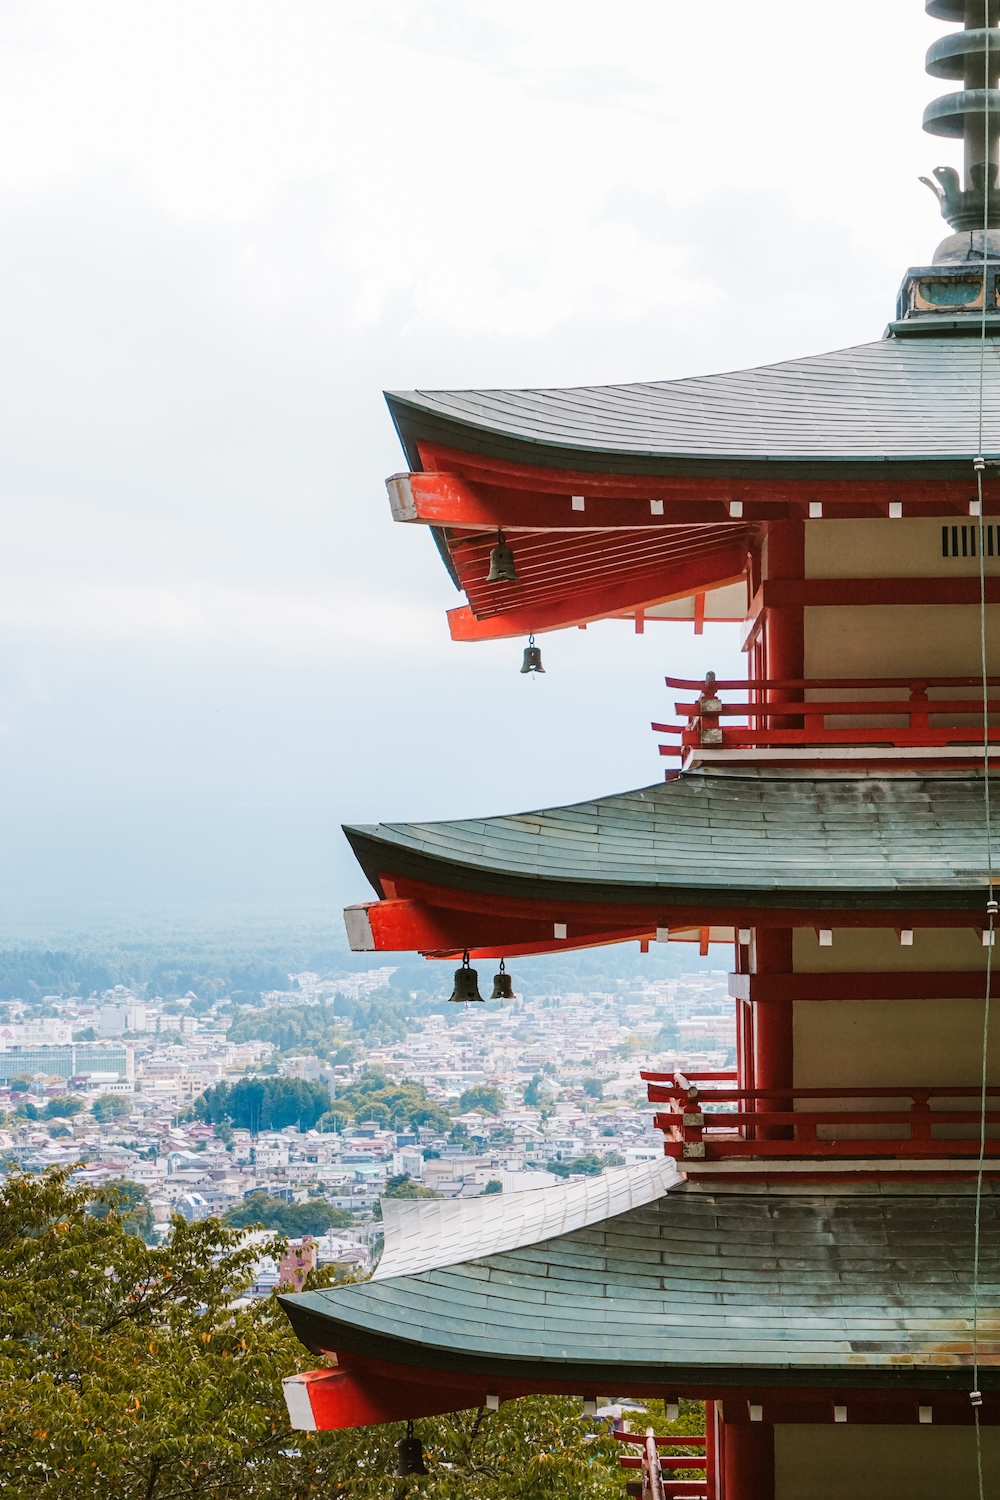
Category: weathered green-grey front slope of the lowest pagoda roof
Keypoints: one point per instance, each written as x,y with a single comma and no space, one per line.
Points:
869,1289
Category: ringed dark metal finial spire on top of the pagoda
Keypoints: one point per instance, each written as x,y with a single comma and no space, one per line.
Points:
974,115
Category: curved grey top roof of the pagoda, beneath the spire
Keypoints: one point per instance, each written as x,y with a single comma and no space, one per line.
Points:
896,401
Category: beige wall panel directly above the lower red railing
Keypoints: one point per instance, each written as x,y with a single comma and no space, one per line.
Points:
882,1043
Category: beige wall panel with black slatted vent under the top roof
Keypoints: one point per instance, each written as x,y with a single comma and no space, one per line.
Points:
887,550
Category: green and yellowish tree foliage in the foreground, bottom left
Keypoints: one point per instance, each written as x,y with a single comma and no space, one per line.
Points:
128,1373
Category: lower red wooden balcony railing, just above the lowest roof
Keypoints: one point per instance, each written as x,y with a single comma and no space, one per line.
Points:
699,1129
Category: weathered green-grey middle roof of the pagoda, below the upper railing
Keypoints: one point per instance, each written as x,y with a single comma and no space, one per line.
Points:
750,839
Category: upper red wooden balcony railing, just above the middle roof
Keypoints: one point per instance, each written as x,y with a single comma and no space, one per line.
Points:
794,713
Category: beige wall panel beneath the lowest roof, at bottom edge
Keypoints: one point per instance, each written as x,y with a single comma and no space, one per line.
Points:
885,1463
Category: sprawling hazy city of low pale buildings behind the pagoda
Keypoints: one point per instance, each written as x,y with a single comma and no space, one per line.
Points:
516,1096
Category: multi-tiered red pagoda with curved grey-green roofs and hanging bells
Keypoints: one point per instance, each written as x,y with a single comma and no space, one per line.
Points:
818,1253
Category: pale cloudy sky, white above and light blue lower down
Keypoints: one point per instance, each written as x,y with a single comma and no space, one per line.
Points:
226,229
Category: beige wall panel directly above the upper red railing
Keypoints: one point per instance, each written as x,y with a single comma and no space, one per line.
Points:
899,640
